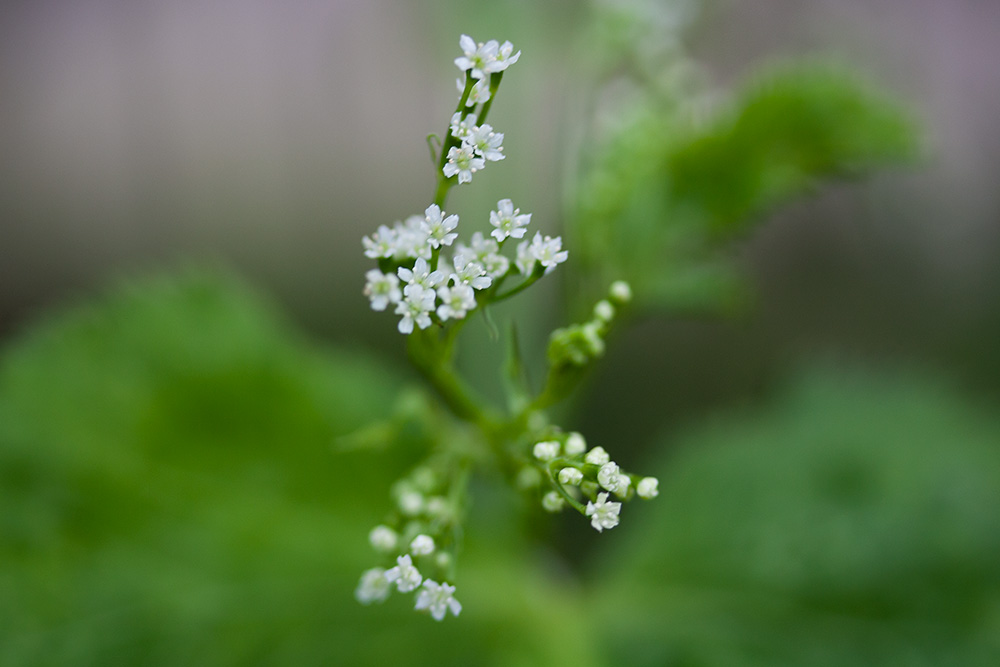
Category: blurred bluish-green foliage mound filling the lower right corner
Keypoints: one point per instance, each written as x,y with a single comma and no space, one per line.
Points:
855,522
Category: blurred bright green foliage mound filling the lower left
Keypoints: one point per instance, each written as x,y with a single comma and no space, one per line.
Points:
171,495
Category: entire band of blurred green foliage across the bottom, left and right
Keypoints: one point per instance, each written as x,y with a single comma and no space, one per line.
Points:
172,496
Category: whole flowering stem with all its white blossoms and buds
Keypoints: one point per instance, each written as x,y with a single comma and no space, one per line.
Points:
434,276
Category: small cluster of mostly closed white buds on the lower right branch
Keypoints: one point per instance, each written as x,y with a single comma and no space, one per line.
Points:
591,474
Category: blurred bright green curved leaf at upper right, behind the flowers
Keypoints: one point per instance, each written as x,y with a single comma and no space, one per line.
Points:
660,196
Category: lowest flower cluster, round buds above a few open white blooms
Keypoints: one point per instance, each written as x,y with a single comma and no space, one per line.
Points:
420,529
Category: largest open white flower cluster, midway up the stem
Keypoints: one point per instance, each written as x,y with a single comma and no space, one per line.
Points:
421,292
